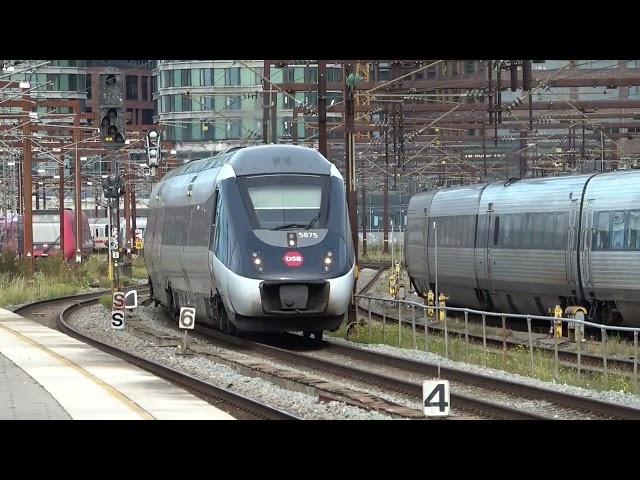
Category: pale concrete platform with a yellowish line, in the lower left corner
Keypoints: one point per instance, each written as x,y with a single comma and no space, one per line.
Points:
45,374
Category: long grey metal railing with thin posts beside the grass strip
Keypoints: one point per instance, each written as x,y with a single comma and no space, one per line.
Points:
575,324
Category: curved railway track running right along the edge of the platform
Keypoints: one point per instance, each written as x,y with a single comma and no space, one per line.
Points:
238,406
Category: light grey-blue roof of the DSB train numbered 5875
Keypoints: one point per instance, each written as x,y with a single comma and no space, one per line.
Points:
262,159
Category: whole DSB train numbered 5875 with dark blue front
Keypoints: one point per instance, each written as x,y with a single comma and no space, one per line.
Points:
257,239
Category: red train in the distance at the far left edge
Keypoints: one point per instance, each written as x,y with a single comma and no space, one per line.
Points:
46,234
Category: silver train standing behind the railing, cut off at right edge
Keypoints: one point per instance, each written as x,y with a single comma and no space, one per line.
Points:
523,246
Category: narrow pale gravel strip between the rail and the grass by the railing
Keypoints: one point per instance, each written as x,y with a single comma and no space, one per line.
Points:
610,396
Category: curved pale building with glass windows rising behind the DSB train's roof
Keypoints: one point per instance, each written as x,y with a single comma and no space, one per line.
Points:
212,104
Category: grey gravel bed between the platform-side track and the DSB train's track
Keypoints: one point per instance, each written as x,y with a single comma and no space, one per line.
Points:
95,322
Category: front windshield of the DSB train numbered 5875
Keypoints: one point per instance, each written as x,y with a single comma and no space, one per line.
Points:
282,202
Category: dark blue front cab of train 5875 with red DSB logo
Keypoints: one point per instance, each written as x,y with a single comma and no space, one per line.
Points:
292,268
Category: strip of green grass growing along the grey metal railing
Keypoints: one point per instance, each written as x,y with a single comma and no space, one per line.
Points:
516,360
